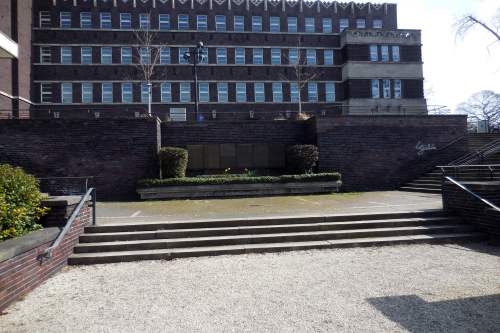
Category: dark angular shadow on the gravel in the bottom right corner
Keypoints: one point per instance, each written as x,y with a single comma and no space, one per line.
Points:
473,314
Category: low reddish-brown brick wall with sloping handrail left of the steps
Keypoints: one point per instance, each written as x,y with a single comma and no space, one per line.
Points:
25,271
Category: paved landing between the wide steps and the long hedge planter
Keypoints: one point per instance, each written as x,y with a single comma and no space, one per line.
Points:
342,203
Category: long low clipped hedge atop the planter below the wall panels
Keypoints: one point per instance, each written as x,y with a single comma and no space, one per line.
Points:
319,177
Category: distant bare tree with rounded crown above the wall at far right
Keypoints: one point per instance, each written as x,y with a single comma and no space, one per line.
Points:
483,105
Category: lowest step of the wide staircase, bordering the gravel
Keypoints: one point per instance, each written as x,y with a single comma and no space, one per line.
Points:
167,254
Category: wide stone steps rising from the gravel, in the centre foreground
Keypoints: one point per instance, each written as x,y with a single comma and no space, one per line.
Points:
169,240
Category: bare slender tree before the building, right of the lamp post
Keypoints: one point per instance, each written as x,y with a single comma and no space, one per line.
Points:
301,74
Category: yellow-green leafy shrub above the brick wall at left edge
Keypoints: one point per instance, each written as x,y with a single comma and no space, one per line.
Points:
19,202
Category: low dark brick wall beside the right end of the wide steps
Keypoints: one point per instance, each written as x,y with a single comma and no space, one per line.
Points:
473,210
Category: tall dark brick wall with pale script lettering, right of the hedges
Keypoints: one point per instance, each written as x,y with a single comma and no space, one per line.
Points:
379,152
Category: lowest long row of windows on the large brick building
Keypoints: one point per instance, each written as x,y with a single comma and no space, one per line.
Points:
87,92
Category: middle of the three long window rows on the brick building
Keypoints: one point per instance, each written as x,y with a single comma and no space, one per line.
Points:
277,56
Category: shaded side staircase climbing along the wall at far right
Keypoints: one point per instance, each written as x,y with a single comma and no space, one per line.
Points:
484,149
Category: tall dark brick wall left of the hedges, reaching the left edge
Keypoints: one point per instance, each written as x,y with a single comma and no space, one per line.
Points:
117,152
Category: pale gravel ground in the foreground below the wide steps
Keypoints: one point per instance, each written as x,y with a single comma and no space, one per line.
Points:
418,288
